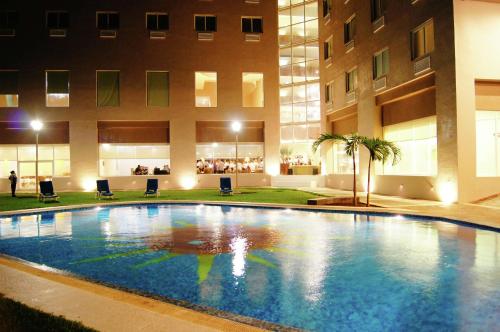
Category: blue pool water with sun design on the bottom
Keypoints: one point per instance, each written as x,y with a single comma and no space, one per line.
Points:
318,271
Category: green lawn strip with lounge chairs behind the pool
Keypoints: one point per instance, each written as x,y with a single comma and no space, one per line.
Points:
255,195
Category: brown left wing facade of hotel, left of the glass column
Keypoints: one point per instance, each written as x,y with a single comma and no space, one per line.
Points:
139,88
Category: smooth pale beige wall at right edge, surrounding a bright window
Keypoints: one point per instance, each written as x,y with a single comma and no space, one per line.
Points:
477,35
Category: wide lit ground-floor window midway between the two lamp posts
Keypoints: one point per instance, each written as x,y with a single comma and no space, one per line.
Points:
134,159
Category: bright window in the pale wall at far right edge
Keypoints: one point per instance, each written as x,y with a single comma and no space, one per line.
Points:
488,143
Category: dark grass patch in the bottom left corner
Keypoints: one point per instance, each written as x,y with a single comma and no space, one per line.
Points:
16,317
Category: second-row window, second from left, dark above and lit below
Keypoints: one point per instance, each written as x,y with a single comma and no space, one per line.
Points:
57,88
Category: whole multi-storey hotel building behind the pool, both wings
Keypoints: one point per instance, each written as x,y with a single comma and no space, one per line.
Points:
158,85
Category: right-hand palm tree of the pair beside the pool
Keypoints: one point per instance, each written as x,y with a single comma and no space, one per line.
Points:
380,150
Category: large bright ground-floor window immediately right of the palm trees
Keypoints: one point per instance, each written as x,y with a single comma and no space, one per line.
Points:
417,140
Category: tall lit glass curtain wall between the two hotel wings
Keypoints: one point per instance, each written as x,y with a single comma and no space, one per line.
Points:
299,82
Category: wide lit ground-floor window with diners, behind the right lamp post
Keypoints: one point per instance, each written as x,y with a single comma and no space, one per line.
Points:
220,158
